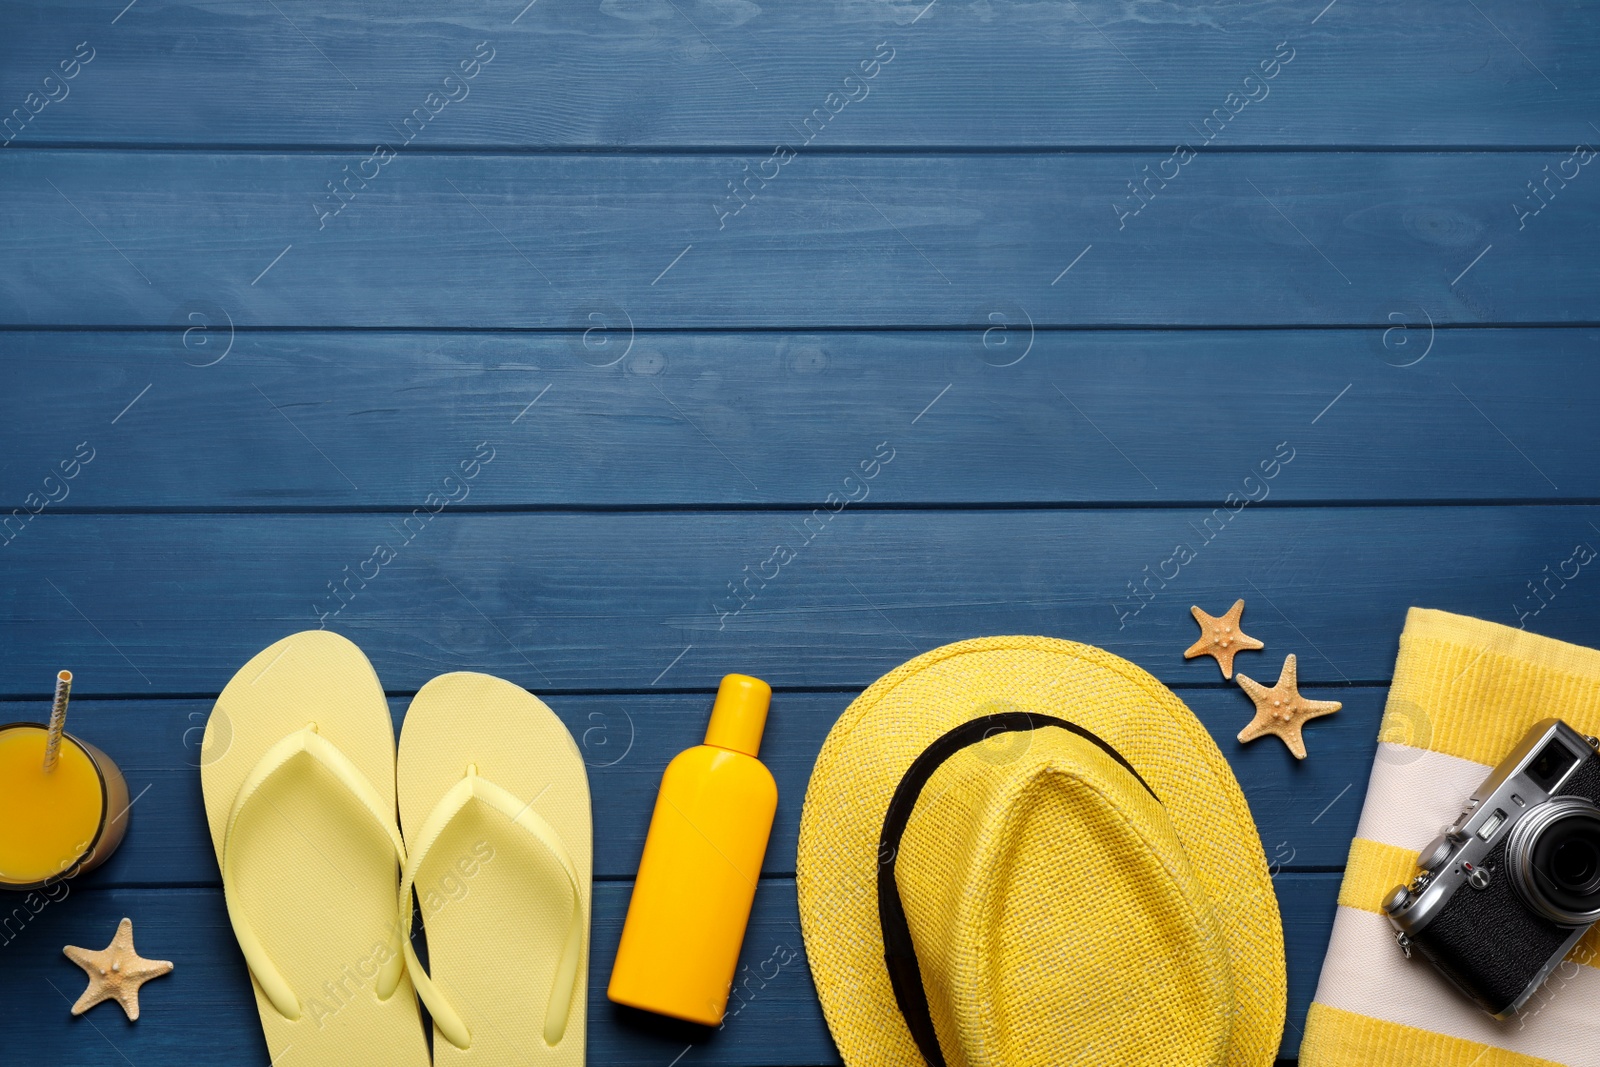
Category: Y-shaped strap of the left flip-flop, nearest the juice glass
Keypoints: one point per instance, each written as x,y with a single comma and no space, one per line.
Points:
310,743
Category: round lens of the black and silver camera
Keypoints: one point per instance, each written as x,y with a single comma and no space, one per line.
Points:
1556,855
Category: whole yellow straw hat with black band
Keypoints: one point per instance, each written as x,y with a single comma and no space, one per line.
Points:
1025,852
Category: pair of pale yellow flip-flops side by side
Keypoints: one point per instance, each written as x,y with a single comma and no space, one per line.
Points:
302,788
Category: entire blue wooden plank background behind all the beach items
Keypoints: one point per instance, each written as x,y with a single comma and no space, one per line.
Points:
938,345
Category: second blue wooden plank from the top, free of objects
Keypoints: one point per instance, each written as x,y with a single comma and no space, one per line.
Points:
834,241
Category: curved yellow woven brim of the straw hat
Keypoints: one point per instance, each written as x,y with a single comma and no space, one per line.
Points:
887,727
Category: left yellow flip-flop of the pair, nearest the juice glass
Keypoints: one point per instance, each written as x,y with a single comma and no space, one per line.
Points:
298,770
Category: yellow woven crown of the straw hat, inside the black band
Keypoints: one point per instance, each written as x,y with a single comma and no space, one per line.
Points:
1055,913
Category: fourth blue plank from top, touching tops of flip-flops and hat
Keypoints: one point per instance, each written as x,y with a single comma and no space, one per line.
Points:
599,602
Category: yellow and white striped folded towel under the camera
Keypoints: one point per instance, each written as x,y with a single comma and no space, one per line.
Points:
1465,693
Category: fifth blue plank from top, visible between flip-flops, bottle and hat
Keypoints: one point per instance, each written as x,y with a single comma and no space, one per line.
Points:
1306,813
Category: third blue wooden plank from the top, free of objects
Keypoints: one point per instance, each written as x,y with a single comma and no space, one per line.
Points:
230,418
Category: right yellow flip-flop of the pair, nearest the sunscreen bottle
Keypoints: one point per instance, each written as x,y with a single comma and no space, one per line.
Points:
495,807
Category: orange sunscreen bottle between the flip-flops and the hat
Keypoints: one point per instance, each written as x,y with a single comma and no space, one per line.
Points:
703,858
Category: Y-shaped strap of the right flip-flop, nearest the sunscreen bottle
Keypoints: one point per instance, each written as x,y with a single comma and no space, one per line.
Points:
474,788
